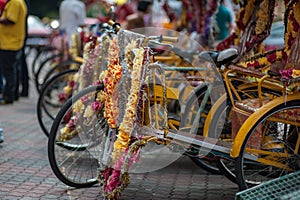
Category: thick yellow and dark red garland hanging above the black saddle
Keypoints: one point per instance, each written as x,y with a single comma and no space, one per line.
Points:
250,32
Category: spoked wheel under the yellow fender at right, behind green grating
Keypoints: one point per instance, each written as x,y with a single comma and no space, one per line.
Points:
271,147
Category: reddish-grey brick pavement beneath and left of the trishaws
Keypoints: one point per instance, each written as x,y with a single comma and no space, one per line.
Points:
25,172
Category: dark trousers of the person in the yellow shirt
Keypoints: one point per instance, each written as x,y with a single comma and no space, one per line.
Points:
9,62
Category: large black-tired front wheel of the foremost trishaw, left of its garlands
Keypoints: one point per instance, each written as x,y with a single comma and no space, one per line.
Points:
73,159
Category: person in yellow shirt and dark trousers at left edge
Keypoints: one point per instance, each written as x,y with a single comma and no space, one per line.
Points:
12,35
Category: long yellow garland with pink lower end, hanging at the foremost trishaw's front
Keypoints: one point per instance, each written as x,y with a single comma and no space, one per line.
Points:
113,179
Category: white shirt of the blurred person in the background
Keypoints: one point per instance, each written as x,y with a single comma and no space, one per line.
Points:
72,14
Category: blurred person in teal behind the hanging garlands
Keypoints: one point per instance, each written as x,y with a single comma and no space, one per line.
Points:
224,21
